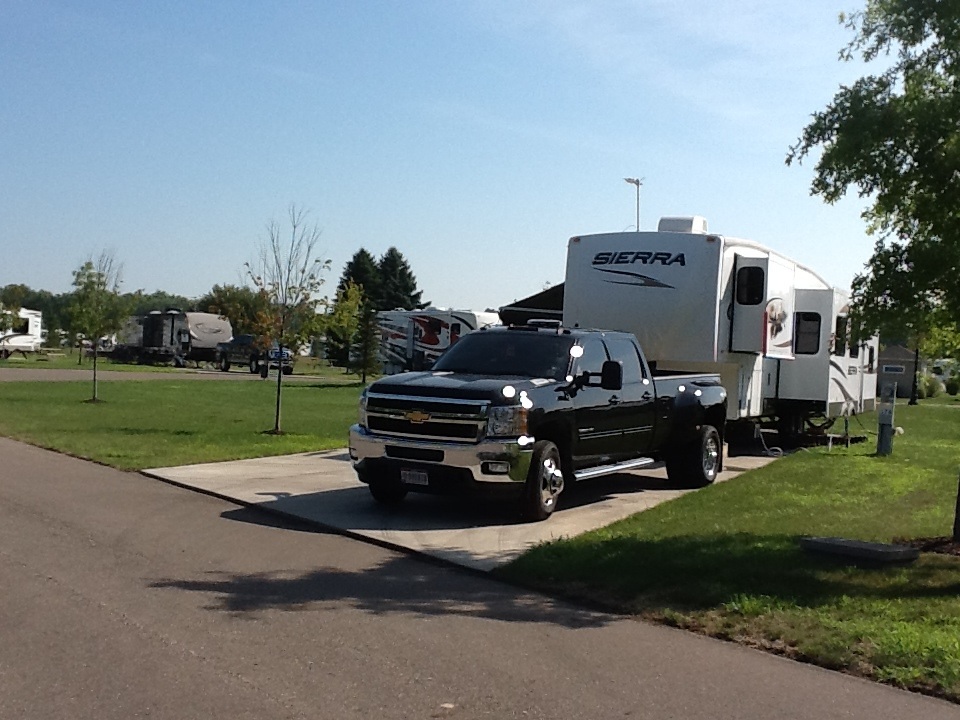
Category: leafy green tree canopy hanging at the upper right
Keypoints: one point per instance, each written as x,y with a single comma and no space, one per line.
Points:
894,137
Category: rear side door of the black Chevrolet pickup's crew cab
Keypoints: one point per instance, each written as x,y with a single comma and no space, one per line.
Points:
633,412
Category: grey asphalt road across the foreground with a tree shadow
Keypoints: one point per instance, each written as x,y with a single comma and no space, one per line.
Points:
124,597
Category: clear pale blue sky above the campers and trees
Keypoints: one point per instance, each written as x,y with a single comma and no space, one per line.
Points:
476,136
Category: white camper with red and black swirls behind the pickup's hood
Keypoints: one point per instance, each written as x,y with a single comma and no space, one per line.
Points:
414,339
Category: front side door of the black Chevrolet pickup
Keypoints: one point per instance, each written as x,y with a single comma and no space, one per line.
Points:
598,435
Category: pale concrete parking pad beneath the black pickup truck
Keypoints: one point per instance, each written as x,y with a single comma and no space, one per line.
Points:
323,488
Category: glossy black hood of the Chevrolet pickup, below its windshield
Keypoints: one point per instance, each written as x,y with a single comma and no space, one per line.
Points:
457,385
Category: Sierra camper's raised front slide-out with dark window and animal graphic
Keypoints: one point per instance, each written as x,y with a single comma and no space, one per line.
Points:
761,315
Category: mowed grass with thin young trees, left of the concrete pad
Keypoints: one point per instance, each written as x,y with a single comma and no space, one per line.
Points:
160,423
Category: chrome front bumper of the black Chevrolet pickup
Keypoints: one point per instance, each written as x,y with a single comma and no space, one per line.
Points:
478,458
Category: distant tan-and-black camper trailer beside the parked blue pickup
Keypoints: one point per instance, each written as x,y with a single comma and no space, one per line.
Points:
172,336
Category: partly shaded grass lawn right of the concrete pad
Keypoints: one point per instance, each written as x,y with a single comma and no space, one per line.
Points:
725,561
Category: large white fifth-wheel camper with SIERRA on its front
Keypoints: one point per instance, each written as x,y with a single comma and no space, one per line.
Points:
775,330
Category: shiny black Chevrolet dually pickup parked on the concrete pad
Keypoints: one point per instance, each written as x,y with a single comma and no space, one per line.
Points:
527,409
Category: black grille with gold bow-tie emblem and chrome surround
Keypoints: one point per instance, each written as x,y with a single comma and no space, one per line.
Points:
427,418
